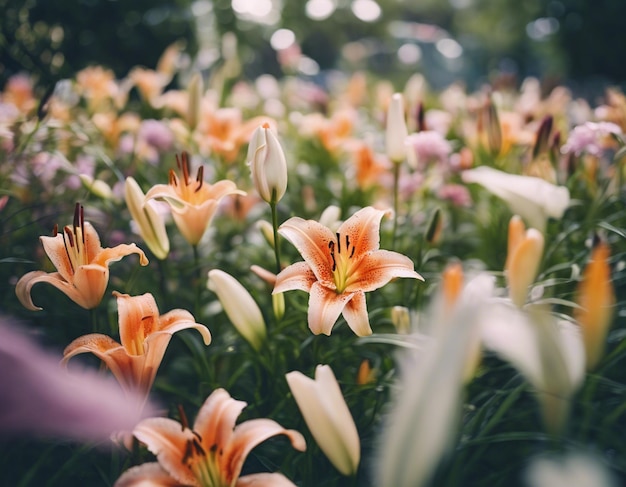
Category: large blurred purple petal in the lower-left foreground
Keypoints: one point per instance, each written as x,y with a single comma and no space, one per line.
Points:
39,398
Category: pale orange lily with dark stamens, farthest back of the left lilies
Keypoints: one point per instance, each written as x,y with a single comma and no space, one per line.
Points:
193,202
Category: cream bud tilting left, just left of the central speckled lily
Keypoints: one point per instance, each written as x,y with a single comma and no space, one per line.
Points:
240,307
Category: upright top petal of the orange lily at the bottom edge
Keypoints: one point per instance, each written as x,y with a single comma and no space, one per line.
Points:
217,417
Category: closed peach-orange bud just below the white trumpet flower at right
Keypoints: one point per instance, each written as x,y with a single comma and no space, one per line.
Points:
525,251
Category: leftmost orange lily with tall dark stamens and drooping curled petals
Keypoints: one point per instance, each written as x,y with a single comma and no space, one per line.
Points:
81,262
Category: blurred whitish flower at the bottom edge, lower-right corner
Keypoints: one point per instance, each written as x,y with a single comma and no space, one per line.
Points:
572,470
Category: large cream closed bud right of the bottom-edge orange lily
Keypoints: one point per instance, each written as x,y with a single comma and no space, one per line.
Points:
327,415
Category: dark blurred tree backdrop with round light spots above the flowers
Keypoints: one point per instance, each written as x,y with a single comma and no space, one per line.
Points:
576,42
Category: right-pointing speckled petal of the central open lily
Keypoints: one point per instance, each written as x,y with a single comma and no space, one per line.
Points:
378,268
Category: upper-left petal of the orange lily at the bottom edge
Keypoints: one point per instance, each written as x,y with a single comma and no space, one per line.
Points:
169,441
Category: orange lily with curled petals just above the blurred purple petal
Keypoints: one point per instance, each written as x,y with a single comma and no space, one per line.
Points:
145,335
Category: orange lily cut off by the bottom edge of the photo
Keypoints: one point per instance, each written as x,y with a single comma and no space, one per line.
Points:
212,453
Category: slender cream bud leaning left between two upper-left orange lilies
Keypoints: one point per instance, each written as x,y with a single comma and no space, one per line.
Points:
149,221
